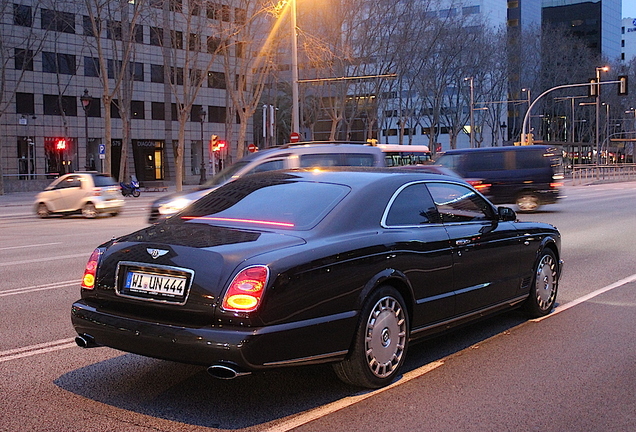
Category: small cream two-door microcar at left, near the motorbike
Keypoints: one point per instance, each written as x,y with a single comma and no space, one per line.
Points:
88,193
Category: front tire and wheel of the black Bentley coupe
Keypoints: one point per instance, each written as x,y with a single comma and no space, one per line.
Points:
543,289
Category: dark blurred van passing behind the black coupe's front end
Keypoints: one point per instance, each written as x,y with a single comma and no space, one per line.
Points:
529,176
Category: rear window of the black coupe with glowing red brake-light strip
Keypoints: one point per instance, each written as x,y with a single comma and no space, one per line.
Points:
266,202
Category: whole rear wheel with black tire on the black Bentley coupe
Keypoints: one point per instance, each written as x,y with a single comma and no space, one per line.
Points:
380,342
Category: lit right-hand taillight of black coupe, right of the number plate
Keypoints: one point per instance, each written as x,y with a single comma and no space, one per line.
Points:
246,290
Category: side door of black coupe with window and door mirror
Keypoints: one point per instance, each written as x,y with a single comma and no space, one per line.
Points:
486,251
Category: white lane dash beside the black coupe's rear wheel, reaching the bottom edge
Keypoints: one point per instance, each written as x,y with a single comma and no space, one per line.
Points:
332,407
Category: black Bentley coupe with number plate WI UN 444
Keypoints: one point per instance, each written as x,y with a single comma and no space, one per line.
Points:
296,267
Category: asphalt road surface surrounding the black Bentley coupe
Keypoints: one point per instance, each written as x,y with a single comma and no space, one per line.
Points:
573,371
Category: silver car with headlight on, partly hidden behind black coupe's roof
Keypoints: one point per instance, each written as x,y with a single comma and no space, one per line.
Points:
303,155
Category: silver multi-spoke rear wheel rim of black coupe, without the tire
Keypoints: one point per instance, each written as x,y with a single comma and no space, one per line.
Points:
385,338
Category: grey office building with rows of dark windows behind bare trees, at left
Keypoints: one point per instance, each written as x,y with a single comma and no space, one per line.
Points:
53,113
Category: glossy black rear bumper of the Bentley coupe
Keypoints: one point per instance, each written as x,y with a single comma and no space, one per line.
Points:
308,342
